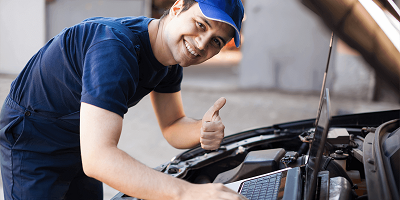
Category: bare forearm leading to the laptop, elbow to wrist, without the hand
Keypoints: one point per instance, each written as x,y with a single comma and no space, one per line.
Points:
122,172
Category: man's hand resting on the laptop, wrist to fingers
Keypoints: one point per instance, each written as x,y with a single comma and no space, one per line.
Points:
211,191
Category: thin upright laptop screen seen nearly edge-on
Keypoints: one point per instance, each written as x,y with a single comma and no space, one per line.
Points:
317,147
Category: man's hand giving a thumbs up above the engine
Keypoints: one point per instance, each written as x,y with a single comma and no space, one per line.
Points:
212,129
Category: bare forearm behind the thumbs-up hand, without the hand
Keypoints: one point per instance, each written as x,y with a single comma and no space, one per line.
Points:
184,133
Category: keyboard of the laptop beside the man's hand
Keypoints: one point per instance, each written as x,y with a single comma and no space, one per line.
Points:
262,188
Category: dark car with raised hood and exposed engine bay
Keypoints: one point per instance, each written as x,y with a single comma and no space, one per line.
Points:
356,156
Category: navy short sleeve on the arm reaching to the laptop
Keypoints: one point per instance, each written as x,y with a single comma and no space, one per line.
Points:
110,76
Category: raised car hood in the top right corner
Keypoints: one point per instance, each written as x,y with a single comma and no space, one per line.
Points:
371,27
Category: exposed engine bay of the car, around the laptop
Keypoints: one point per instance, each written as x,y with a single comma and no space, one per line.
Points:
360,156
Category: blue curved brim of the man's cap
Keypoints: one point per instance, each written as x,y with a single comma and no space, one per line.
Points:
217,14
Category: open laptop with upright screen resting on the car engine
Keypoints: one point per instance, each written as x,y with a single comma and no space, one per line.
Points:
297,183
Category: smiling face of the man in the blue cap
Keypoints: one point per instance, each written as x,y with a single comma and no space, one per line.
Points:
190,38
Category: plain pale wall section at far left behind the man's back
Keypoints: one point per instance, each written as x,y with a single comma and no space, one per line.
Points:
22,32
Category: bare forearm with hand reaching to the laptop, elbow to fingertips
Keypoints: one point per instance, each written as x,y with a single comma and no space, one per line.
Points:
122,172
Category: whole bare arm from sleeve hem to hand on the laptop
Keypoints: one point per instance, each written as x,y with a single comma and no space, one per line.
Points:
100,130
